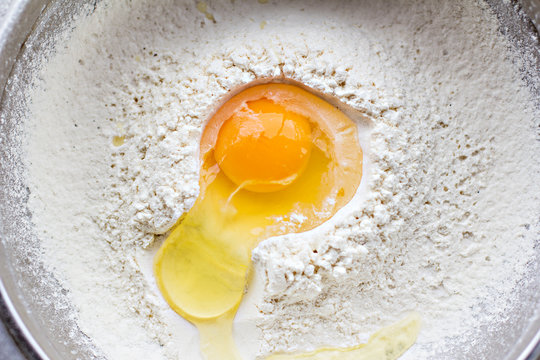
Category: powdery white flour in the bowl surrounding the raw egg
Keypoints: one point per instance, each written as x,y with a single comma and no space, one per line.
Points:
447,216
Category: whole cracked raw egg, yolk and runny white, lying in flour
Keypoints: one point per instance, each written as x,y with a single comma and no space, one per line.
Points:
275,159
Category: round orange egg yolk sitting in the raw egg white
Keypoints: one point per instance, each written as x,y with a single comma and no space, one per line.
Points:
262,147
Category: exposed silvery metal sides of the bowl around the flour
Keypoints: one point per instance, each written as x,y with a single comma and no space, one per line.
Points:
39,313
